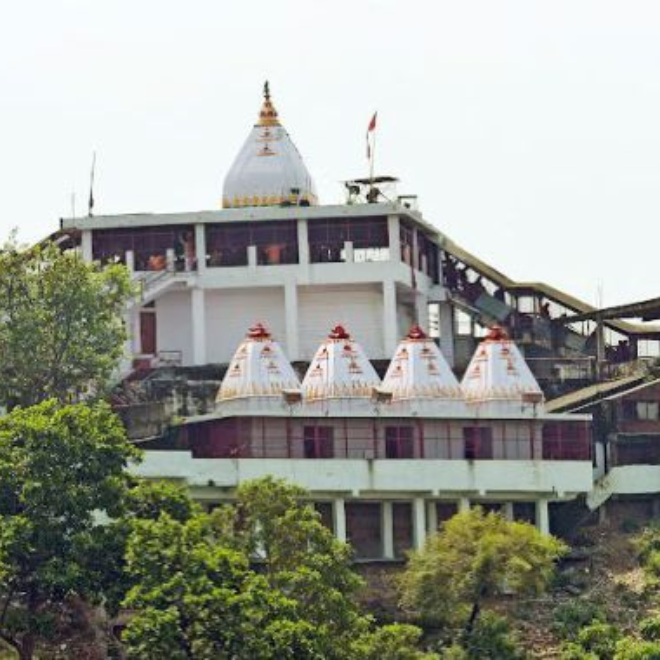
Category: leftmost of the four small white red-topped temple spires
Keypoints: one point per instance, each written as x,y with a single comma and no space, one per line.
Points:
257,377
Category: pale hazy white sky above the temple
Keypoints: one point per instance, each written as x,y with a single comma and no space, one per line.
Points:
529,129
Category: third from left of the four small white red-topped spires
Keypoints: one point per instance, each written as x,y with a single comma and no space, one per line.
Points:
420,379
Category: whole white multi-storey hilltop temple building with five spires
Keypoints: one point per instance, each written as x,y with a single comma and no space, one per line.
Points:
353,349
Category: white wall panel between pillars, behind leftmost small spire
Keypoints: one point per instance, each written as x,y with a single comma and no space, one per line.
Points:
230,312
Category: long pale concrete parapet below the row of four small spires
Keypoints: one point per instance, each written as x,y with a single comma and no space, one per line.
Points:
483,478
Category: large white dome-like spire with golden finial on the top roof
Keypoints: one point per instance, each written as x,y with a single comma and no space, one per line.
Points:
268,170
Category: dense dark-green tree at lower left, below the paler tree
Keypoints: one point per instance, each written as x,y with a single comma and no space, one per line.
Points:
62,469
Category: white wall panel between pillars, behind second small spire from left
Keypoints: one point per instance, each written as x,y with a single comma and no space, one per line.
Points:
358,308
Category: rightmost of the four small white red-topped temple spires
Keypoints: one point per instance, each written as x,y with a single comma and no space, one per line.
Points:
498,381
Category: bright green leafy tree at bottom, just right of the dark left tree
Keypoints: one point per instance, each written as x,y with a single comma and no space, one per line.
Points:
195,598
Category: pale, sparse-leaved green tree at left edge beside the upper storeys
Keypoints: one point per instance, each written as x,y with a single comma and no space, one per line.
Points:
61,326
